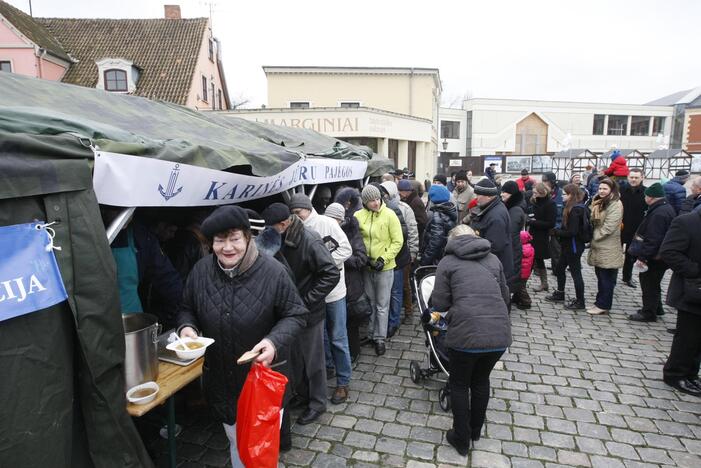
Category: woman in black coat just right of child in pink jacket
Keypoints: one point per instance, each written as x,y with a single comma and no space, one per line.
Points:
540,222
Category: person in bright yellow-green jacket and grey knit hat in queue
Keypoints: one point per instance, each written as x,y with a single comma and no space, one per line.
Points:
382,236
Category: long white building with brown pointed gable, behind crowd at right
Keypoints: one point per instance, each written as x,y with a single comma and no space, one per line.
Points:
525,127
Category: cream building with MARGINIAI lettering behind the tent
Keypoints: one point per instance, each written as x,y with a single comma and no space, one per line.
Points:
394,111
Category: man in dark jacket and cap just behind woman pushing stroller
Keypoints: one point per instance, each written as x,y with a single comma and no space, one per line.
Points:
491,221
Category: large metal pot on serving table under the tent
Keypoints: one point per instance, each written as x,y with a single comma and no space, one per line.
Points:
141,337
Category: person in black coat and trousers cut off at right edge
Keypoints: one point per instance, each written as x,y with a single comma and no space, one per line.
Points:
681,250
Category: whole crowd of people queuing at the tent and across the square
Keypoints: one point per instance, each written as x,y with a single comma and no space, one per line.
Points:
311,281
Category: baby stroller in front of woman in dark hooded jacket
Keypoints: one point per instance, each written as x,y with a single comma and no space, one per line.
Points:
436,360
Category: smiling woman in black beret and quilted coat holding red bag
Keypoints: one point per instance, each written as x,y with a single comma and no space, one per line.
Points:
245,301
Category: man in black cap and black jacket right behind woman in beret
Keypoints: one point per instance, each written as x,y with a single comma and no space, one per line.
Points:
316,275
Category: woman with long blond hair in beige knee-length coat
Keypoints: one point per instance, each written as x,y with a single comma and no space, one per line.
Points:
605,251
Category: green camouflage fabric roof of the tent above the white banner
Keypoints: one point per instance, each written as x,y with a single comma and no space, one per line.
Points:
133,125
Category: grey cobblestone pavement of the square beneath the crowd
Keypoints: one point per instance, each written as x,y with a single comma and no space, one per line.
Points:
572,390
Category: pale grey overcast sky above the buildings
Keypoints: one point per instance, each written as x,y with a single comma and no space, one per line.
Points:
619,51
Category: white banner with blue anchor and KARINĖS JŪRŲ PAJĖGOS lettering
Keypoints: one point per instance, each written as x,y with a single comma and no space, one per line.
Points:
124,180
